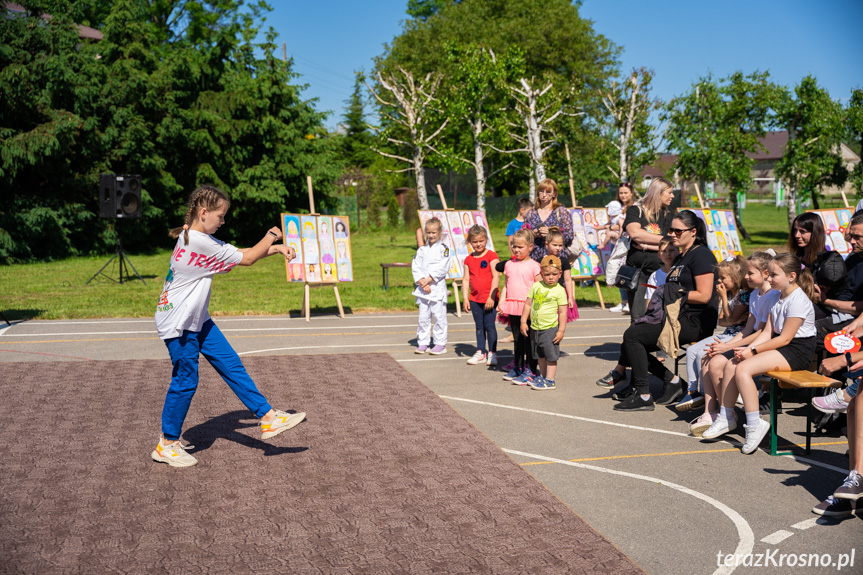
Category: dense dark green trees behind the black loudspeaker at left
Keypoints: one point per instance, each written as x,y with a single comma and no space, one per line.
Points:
177,92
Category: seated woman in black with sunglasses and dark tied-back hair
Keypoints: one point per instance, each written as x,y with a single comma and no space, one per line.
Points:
694,273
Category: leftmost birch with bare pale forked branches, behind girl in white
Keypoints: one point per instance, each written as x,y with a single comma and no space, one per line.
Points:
408,122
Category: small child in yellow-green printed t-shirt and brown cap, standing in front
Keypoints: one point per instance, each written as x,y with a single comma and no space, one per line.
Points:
546,308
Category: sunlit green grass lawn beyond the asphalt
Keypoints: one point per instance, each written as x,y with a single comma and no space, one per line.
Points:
57,290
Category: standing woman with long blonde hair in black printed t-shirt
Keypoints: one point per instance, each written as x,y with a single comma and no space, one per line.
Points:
646,223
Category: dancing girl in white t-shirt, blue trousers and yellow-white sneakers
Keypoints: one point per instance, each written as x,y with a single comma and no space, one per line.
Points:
184,323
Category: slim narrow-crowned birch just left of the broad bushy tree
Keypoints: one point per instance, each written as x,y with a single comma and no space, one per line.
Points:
629,106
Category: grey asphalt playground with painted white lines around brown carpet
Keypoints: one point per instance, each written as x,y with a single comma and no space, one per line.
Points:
673,503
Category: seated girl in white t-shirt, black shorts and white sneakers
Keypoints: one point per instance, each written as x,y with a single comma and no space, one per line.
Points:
785,343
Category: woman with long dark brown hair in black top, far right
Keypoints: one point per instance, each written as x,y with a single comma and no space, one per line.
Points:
807,241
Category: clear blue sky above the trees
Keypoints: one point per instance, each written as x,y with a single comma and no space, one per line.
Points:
680,40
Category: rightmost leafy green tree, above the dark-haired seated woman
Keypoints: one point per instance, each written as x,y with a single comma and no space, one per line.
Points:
812,157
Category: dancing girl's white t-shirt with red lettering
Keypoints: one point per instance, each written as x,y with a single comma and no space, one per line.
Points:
186,294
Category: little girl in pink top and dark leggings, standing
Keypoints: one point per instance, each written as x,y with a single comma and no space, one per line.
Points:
520,273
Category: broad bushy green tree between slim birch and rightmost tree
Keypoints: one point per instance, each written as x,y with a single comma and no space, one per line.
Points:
717,126
